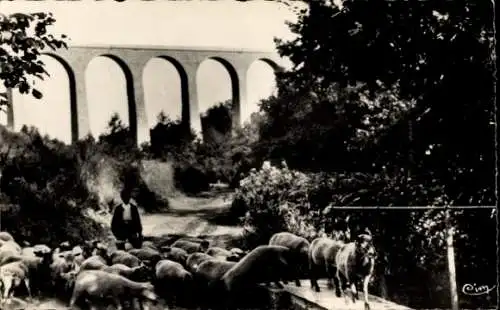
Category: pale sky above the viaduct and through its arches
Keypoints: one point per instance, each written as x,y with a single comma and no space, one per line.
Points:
227,24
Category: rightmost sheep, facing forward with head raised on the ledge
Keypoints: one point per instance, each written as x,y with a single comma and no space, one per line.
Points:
355,262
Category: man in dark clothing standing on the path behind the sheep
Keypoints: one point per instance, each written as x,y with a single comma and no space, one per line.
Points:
126,222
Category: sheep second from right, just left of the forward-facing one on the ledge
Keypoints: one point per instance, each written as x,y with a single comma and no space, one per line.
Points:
322,253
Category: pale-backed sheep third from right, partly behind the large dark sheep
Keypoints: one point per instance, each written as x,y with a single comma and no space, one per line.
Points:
298,246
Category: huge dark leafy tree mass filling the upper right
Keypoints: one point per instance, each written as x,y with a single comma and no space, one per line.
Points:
426,75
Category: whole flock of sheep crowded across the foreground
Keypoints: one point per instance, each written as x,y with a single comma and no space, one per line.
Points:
97,273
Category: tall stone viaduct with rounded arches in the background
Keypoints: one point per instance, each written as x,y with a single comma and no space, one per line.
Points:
133,59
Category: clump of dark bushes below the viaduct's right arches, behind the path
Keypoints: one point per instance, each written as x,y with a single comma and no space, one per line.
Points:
224,155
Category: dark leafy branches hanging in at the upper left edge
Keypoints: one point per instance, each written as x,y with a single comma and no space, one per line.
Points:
23,37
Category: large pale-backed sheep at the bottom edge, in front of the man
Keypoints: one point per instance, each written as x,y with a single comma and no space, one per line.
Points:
92,286
